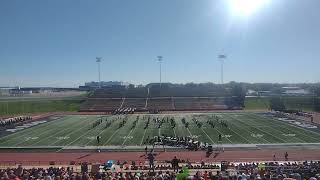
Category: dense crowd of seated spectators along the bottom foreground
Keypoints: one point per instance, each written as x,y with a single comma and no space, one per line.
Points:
272,170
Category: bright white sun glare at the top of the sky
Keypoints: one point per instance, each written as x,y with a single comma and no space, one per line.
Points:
246,7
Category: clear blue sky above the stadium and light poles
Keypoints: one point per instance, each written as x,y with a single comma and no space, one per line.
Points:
54,43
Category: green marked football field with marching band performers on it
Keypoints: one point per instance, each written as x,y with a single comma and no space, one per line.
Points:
243,128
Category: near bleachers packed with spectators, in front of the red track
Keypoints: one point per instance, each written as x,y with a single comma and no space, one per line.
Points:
254,170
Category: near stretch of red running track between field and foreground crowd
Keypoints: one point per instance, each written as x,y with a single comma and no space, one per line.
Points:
232,156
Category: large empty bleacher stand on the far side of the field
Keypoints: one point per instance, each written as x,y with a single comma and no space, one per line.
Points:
163,99
